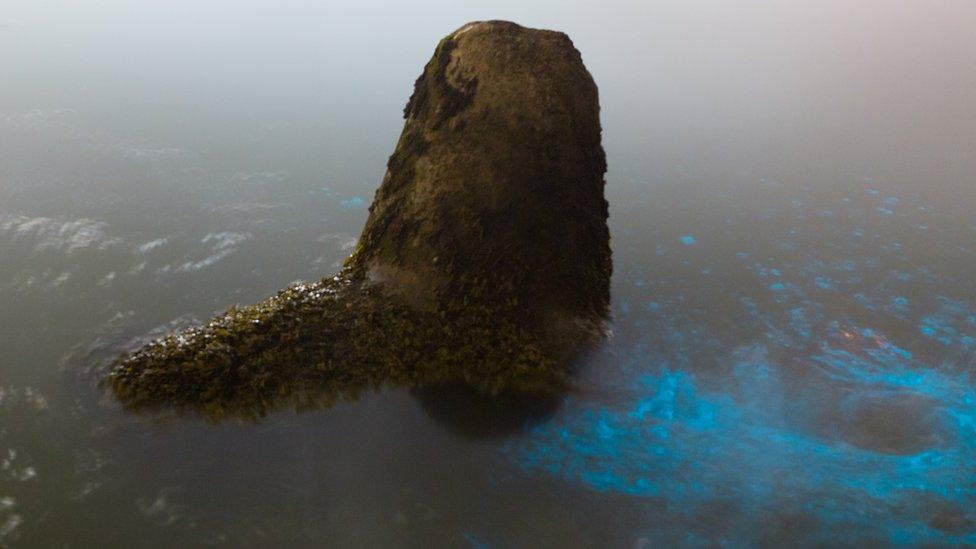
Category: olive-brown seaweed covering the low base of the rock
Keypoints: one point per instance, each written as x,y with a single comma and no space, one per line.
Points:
313,344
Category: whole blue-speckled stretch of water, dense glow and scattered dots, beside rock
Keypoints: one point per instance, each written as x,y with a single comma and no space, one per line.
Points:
819,373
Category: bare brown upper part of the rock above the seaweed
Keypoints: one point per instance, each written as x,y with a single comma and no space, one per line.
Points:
496,184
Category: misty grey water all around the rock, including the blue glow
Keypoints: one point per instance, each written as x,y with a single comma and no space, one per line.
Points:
794,232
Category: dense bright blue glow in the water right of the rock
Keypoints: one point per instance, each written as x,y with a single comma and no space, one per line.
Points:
675,439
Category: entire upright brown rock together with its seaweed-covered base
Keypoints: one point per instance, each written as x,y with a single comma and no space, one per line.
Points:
485,259
